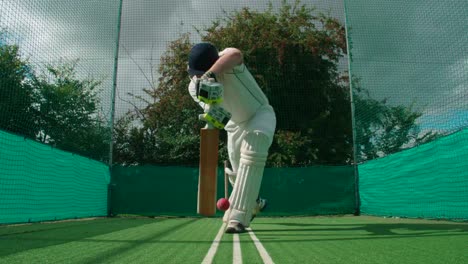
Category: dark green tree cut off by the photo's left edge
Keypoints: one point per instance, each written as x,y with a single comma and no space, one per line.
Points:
16,113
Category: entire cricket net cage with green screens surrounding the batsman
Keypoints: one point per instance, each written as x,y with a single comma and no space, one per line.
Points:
370,99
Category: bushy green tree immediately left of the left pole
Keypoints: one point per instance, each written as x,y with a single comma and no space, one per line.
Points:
68,115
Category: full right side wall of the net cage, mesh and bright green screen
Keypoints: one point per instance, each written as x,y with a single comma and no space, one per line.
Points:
410,74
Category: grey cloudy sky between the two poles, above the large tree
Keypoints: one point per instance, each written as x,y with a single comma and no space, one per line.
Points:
147,29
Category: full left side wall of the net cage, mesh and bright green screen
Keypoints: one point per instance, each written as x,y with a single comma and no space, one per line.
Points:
56,85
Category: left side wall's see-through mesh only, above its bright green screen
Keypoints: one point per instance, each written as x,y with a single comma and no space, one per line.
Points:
57,65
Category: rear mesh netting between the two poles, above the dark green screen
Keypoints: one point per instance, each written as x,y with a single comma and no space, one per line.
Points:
156,120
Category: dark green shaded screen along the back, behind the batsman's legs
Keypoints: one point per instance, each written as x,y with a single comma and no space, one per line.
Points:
153,190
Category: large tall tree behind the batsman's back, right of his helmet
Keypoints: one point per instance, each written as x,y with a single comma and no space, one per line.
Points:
294,54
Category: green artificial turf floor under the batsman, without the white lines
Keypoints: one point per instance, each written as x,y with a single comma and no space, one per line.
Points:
346,239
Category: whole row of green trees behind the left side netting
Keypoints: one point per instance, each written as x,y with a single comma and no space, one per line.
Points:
55,108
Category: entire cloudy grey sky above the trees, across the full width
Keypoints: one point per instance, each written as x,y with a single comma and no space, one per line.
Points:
410,52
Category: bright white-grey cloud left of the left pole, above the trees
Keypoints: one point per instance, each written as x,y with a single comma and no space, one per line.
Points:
52,32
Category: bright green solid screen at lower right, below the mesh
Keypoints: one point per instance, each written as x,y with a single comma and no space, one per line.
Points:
428,181
